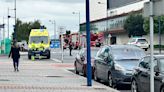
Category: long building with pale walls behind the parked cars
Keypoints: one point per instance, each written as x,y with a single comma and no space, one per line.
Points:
112,24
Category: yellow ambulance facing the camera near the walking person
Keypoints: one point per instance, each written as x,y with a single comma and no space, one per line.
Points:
36,37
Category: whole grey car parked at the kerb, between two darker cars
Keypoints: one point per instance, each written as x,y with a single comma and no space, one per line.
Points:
114,64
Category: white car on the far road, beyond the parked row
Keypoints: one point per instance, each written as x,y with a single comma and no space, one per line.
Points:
140,42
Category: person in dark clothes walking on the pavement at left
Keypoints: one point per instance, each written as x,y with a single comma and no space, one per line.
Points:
14,53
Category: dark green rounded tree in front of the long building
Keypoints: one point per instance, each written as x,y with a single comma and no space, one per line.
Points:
134,25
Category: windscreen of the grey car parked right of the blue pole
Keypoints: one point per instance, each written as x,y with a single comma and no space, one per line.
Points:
127,53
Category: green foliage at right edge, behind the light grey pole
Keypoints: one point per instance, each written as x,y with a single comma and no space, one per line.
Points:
156,24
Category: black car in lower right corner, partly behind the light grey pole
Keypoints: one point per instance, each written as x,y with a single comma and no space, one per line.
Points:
141,75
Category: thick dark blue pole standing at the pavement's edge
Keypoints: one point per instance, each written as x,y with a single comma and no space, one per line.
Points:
89,69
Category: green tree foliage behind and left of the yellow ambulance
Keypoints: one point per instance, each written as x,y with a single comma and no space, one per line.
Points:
23,29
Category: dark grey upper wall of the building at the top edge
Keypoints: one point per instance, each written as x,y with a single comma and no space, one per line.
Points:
119,3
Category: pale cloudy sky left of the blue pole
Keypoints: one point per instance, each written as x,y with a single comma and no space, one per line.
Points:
44,10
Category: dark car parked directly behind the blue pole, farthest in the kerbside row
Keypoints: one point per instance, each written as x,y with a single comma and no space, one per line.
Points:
81,60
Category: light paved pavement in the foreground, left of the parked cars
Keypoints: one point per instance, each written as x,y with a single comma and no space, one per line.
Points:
44,76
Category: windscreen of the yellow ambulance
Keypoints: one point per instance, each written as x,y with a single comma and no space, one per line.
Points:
39,39
